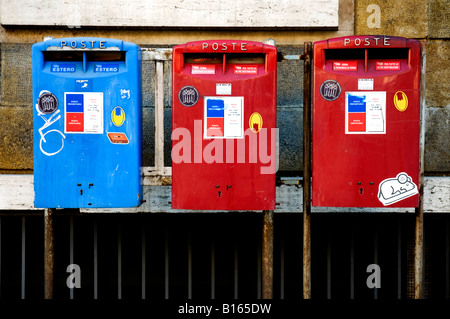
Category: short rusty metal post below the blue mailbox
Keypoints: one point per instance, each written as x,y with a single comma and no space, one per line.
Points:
48,253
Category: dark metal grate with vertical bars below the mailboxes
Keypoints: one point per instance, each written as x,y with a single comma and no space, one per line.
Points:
218,256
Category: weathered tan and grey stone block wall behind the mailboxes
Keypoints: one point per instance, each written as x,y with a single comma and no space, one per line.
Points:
424,20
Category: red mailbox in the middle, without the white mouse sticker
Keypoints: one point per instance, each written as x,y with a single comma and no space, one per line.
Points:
224,125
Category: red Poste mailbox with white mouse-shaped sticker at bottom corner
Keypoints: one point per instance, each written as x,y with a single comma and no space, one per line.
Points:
366,118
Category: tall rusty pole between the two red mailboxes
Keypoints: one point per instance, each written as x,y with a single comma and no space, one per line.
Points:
307,171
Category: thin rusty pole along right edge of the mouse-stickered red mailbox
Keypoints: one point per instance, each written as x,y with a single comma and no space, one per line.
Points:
419,245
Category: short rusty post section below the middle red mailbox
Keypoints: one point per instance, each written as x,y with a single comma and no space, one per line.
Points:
267,255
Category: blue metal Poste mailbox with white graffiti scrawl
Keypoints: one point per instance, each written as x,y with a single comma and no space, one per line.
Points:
87,123
